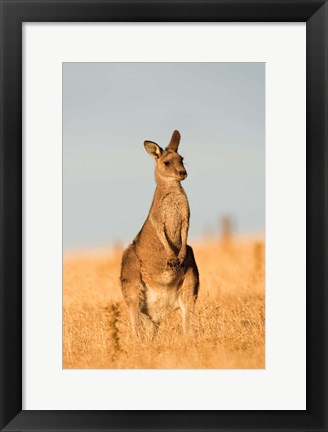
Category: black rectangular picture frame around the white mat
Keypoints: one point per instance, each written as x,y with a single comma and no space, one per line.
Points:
13,14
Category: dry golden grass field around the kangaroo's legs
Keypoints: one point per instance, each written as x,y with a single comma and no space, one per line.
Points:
229,319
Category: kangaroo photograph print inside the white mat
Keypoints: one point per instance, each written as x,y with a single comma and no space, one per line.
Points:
163,215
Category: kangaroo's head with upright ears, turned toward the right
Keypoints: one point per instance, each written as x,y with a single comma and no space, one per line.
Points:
169,164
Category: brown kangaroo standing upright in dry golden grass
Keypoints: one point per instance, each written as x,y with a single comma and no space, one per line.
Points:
158,270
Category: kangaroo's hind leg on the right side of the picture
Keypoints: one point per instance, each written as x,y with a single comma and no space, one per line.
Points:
188,292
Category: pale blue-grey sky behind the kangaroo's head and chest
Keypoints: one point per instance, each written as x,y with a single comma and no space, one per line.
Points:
110,109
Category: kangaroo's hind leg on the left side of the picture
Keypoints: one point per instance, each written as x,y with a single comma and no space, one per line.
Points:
132,286
